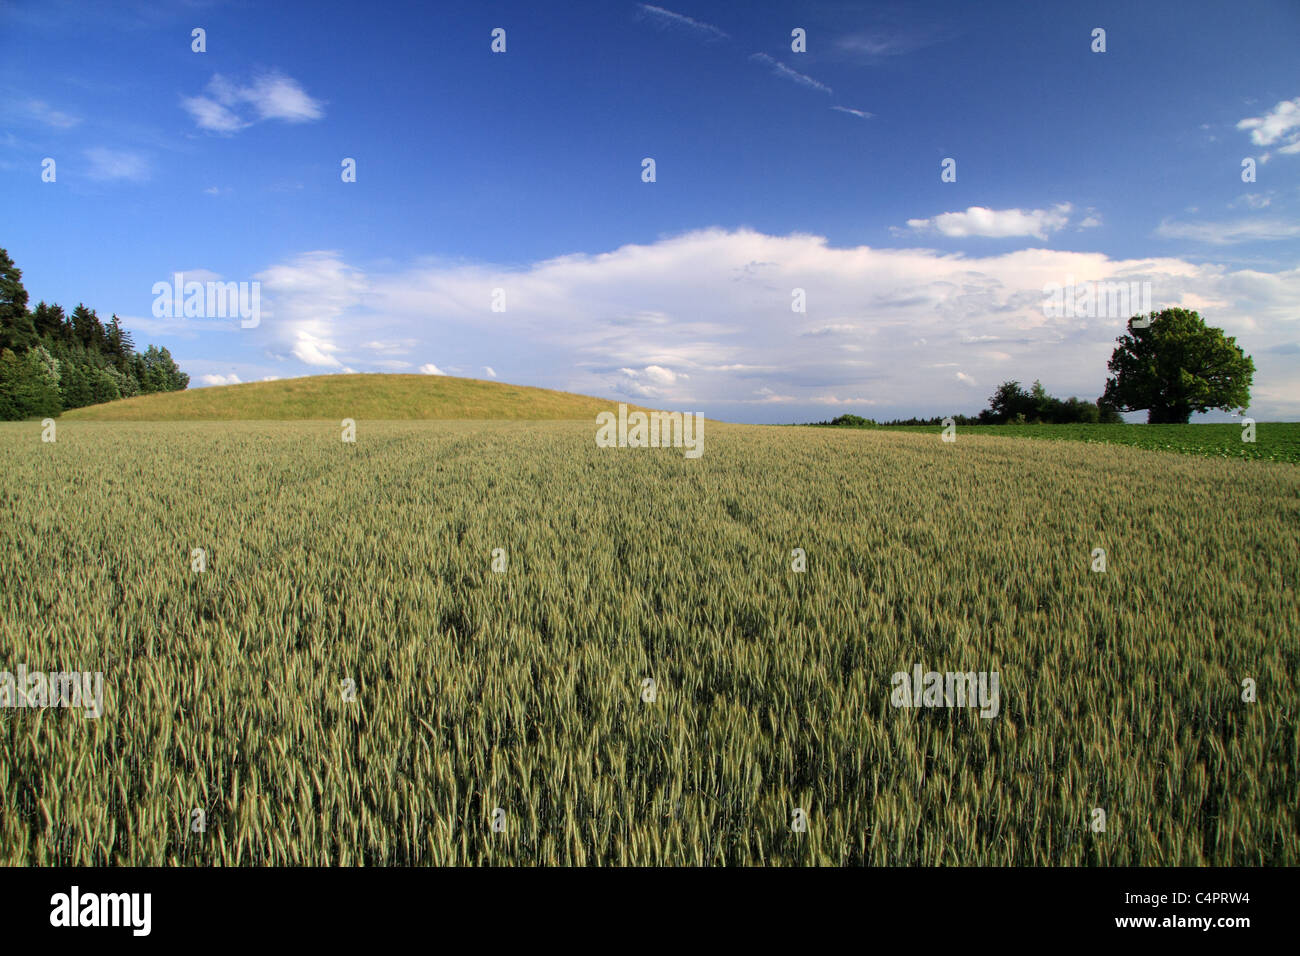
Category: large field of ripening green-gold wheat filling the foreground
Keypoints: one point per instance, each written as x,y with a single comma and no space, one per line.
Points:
504,716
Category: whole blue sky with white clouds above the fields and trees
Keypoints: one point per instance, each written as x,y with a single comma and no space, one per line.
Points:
774,171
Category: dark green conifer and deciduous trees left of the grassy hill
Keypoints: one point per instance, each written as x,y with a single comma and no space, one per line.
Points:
51,362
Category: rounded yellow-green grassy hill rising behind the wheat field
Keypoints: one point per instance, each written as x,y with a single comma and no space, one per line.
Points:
356,397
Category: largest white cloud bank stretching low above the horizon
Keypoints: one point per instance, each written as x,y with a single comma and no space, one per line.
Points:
653,322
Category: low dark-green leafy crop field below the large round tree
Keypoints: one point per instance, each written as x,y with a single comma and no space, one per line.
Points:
1275,442
